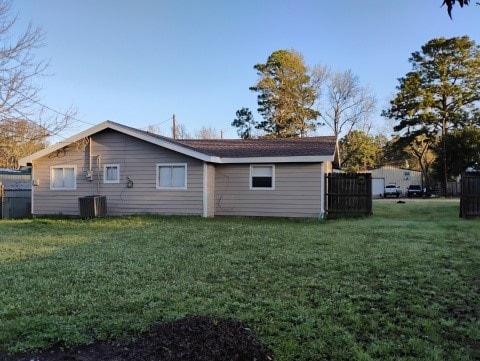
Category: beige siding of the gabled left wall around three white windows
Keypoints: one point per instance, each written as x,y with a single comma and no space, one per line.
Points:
137,160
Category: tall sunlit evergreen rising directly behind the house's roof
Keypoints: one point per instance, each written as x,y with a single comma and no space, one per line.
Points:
285,96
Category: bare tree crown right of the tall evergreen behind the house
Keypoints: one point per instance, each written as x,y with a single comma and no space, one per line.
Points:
345,104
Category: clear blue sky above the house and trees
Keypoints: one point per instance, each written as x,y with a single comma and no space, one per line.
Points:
137,62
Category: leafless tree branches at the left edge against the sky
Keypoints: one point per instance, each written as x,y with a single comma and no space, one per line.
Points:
19,94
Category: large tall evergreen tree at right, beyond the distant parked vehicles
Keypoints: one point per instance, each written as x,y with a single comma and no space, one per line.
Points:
442,92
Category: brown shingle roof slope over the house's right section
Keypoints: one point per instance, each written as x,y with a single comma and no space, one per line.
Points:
238,148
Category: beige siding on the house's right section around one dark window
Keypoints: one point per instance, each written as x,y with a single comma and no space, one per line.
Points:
297,191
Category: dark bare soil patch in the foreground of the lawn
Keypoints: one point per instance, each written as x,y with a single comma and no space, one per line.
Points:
197,338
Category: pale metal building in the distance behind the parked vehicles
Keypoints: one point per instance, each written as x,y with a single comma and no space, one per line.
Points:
388,174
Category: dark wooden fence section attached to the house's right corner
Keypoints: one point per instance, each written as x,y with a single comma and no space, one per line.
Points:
348,194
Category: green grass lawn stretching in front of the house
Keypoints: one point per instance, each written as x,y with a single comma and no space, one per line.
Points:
403,284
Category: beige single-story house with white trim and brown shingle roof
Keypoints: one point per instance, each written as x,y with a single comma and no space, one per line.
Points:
140,172
